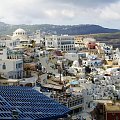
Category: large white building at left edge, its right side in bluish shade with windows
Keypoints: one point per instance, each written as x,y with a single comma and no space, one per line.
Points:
10,65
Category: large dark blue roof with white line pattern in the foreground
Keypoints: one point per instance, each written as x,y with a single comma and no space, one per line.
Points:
29,103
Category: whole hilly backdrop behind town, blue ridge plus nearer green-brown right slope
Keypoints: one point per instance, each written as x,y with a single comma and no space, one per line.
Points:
109,36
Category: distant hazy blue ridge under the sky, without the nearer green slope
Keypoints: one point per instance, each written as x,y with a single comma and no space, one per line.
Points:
57,29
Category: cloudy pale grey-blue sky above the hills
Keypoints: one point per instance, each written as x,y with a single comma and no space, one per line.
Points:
63,12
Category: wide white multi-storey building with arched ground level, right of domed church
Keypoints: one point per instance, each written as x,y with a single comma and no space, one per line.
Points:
63,42
